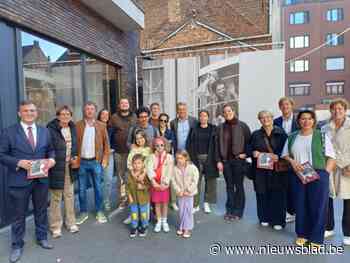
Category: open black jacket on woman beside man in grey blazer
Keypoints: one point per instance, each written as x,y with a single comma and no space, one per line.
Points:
210,168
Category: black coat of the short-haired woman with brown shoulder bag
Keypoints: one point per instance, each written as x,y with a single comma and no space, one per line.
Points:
266,180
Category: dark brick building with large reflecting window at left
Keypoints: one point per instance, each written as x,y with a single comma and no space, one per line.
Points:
61,52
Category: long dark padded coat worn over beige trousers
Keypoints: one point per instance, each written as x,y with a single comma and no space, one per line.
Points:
56,173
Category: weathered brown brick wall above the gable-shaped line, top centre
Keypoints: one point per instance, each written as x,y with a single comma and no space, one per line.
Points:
235,18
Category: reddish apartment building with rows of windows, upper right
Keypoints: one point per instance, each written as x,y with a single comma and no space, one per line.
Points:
318,68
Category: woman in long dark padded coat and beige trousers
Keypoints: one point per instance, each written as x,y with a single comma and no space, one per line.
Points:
64,173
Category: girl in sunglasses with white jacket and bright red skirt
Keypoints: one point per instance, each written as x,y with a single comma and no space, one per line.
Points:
160,170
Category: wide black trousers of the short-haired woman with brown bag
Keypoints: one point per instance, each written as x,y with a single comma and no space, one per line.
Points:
271,207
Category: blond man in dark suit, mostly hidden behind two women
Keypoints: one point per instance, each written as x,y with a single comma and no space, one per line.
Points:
289,124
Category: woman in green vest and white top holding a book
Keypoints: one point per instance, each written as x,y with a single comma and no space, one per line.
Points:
305,149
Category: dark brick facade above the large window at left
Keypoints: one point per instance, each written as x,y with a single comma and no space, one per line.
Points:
74,24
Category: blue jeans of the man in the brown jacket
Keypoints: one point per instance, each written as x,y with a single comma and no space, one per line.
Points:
92,169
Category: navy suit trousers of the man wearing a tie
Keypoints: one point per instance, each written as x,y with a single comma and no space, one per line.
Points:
19,201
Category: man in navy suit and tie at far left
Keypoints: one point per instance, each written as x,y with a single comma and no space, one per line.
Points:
20,145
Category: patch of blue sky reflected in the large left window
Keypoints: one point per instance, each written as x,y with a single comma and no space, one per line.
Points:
50,49
